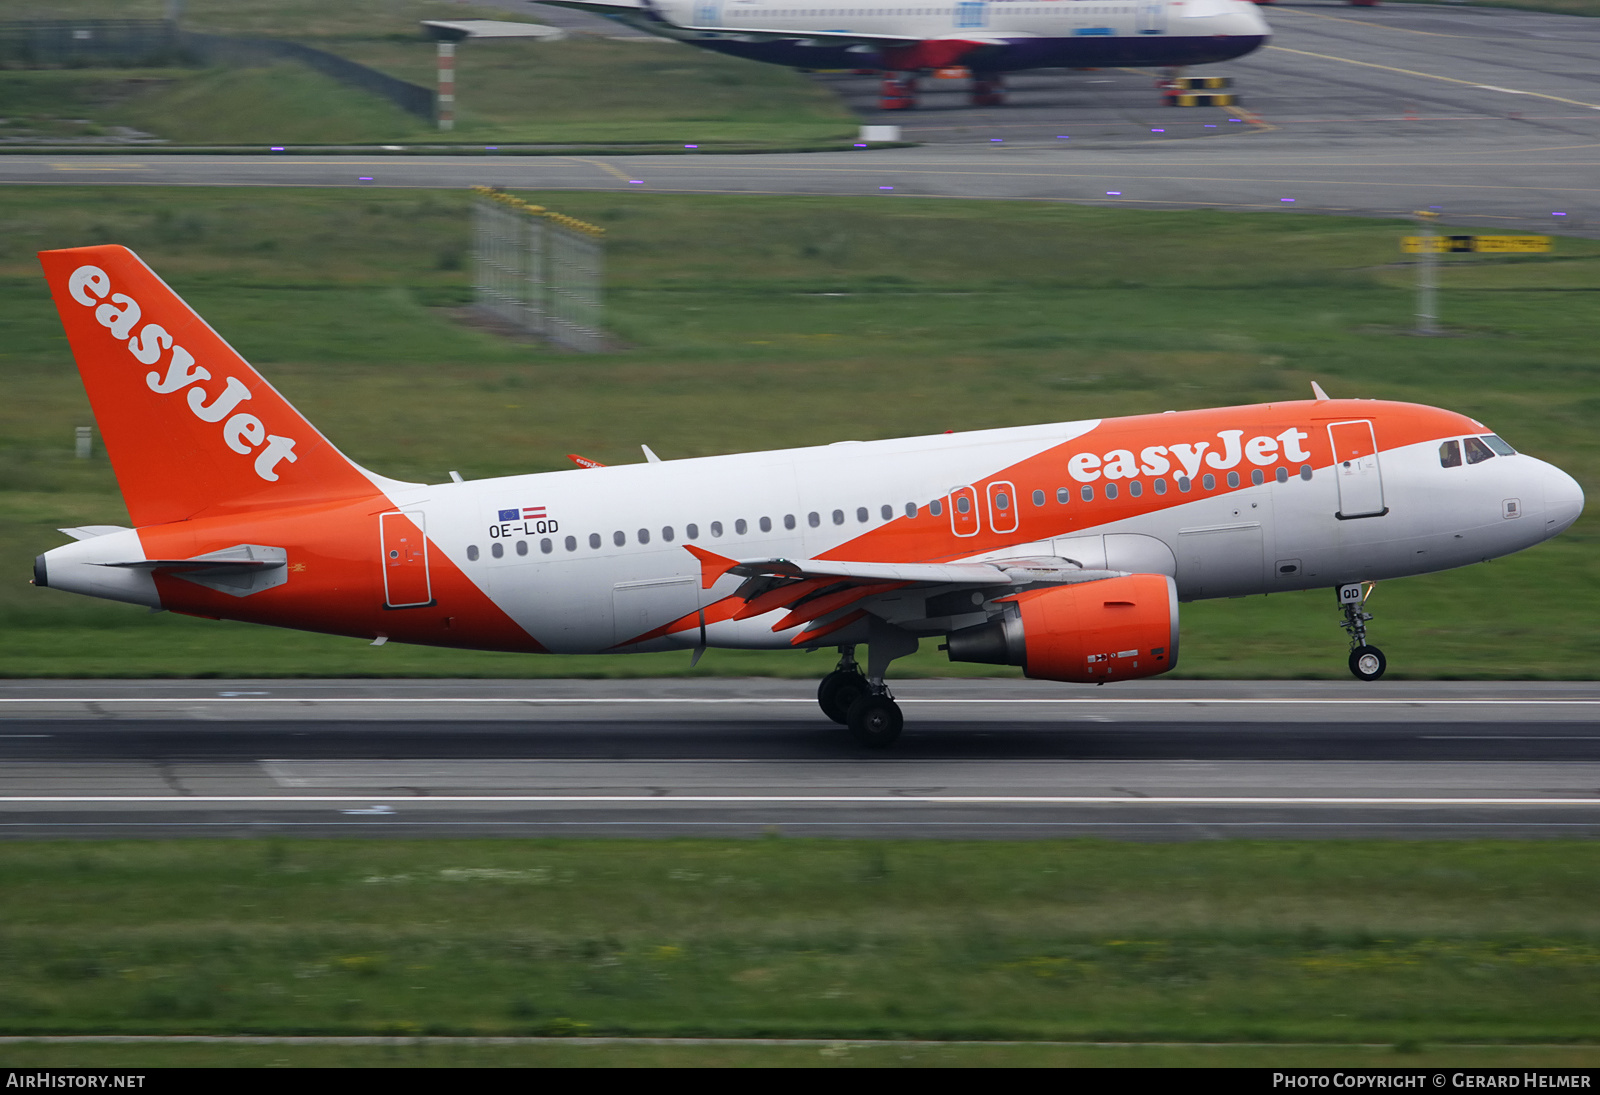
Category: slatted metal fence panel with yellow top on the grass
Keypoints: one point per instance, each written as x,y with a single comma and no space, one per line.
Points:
538,271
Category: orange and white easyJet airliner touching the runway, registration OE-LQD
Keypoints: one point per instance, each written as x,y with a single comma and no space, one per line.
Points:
1063,548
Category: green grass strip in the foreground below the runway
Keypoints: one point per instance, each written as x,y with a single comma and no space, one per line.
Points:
1398,944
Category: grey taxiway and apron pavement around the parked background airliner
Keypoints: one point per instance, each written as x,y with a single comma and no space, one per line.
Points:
1490,114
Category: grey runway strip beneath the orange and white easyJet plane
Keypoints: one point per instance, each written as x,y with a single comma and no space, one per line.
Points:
668,758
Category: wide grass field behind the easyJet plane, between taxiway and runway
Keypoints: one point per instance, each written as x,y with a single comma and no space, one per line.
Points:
767,323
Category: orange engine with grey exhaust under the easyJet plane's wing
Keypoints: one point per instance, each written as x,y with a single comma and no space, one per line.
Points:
1113,630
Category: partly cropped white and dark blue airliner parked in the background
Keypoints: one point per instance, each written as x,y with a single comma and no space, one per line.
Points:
990,38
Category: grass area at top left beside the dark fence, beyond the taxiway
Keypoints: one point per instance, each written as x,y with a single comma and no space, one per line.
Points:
586,90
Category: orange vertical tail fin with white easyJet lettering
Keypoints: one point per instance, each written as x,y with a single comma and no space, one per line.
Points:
190,427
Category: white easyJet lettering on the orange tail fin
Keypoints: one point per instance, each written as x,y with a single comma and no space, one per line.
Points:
242,431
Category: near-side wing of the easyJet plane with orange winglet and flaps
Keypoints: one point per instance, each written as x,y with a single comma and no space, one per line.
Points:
831,595
